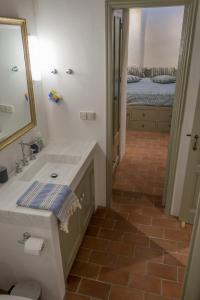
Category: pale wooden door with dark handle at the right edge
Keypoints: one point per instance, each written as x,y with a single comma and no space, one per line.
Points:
192,180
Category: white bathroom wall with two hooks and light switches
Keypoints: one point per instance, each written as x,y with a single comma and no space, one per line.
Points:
72,35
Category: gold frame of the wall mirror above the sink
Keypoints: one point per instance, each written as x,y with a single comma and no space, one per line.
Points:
33,123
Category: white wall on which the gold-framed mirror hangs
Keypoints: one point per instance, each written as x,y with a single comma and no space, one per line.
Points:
23,9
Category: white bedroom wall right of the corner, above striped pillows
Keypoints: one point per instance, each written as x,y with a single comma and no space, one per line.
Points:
162,36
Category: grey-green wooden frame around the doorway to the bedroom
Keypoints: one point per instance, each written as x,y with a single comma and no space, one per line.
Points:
185,53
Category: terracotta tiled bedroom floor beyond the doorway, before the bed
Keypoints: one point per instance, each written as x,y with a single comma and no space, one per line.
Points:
142,169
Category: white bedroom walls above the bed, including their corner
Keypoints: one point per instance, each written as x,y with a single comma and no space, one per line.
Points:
155,36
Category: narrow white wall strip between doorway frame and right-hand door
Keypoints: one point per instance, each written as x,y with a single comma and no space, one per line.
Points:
193,85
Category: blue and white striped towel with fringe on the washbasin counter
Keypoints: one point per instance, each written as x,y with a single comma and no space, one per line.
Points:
59,199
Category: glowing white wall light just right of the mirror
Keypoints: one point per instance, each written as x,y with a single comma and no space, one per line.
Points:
34,57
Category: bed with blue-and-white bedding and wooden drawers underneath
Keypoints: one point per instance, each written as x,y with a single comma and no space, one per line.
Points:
149,105
